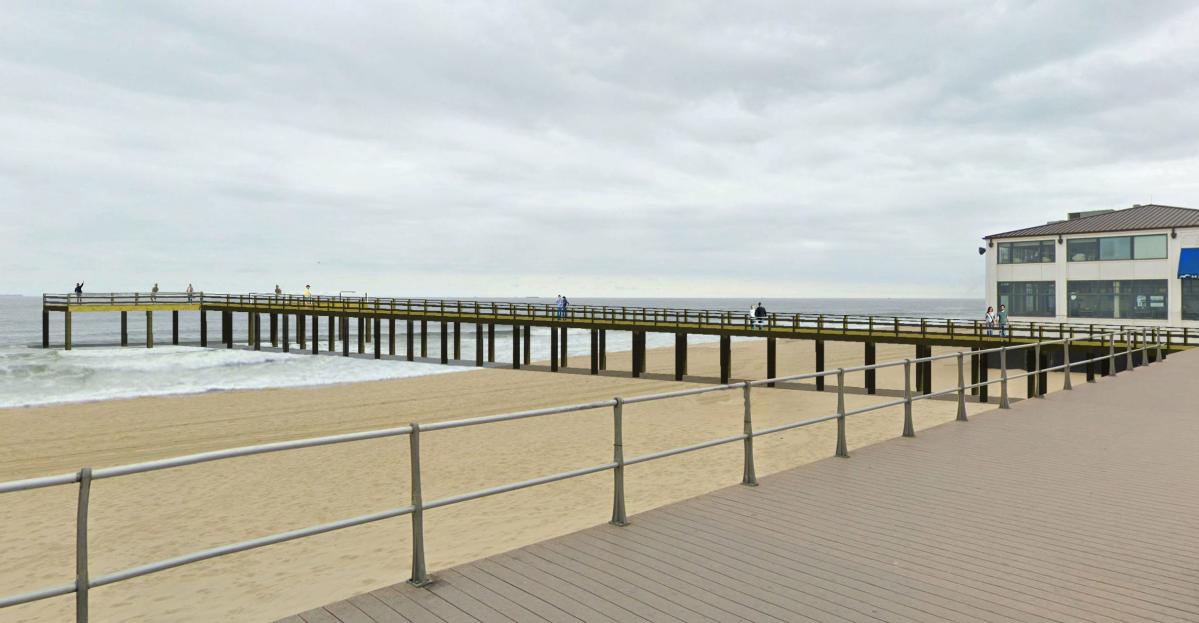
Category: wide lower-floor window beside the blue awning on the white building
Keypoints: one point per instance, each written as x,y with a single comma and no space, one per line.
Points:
1130,299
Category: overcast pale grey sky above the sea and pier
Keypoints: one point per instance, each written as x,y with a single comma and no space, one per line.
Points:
592,148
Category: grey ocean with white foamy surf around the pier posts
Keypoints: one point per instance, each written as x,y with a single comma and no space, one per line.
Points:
98,368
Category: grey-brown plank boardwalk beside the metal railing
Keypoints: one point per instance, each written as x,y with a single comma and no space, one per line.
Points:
1083,506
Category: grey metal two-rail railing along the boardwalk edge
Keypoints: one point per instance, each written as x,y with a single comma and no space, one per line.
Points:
86,582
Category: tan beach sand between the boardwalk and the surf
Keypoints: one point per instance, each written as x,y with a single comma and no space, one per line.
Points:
147,518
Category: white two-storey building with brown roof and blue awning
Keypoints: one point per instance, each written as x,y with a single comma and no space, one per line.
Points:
1136,267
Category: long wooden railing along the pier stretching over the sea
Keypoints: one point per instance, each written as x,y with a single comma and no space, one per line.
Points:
661,319
